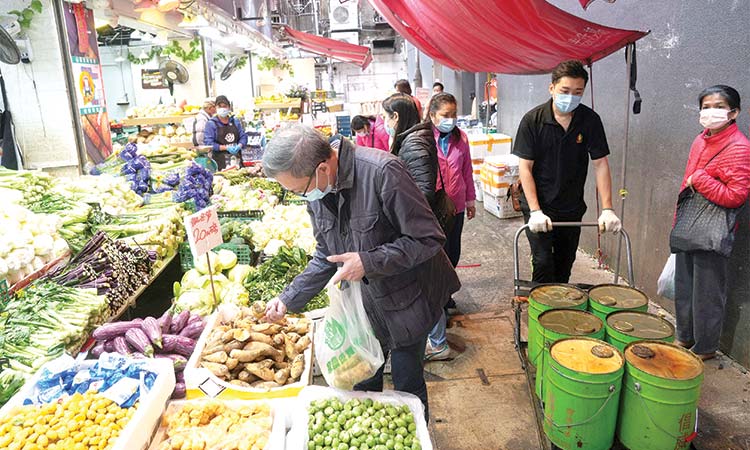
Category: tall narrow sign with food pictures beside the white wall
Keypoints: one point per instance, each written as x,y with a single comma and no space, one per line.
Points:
88,83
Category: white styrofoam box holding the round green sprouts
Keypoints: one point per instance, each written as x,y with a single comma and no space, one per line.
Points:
298,435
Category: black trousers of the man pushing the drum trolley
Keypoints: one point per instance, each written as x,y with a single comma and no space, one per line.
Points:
553,253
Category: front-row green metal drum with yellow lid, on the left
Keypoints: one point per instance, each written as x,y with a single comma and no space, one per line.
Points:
582,393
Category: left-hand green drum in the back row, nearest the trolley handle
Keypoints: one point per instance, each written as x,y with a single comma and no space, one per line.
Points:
543,298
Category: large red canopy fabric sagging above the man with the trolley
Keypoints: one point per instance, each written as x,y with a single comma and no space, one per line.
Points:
501,36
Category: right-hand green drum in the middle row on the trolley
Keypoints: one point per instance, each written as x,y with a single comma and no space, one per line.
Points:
624,327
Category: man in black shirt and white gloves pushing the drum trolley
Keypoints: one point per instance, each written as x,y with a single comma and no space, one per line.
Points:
554,142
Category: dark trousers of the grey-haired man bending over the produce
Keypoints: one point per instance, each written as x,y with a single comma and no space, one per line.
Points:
407,371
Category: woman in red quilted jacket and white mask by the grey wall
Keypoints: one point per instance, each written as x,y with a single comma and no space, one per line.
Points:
719,169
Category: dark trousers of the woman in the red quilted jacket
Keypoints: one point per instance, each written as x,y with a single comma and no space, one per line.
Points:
700,288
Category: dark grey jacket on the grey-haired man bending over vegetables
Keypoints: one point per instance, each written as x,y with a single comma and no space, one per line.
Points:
381,214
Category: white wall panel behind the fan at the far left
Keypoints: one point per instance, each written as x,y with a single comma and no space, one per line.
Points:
44,127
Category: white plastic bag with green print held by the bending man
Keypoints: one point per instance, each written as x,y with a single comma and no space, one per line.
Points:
347,350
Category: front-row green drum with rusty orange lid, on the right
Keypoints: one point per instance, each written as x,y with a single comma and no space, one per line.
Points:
661,389
